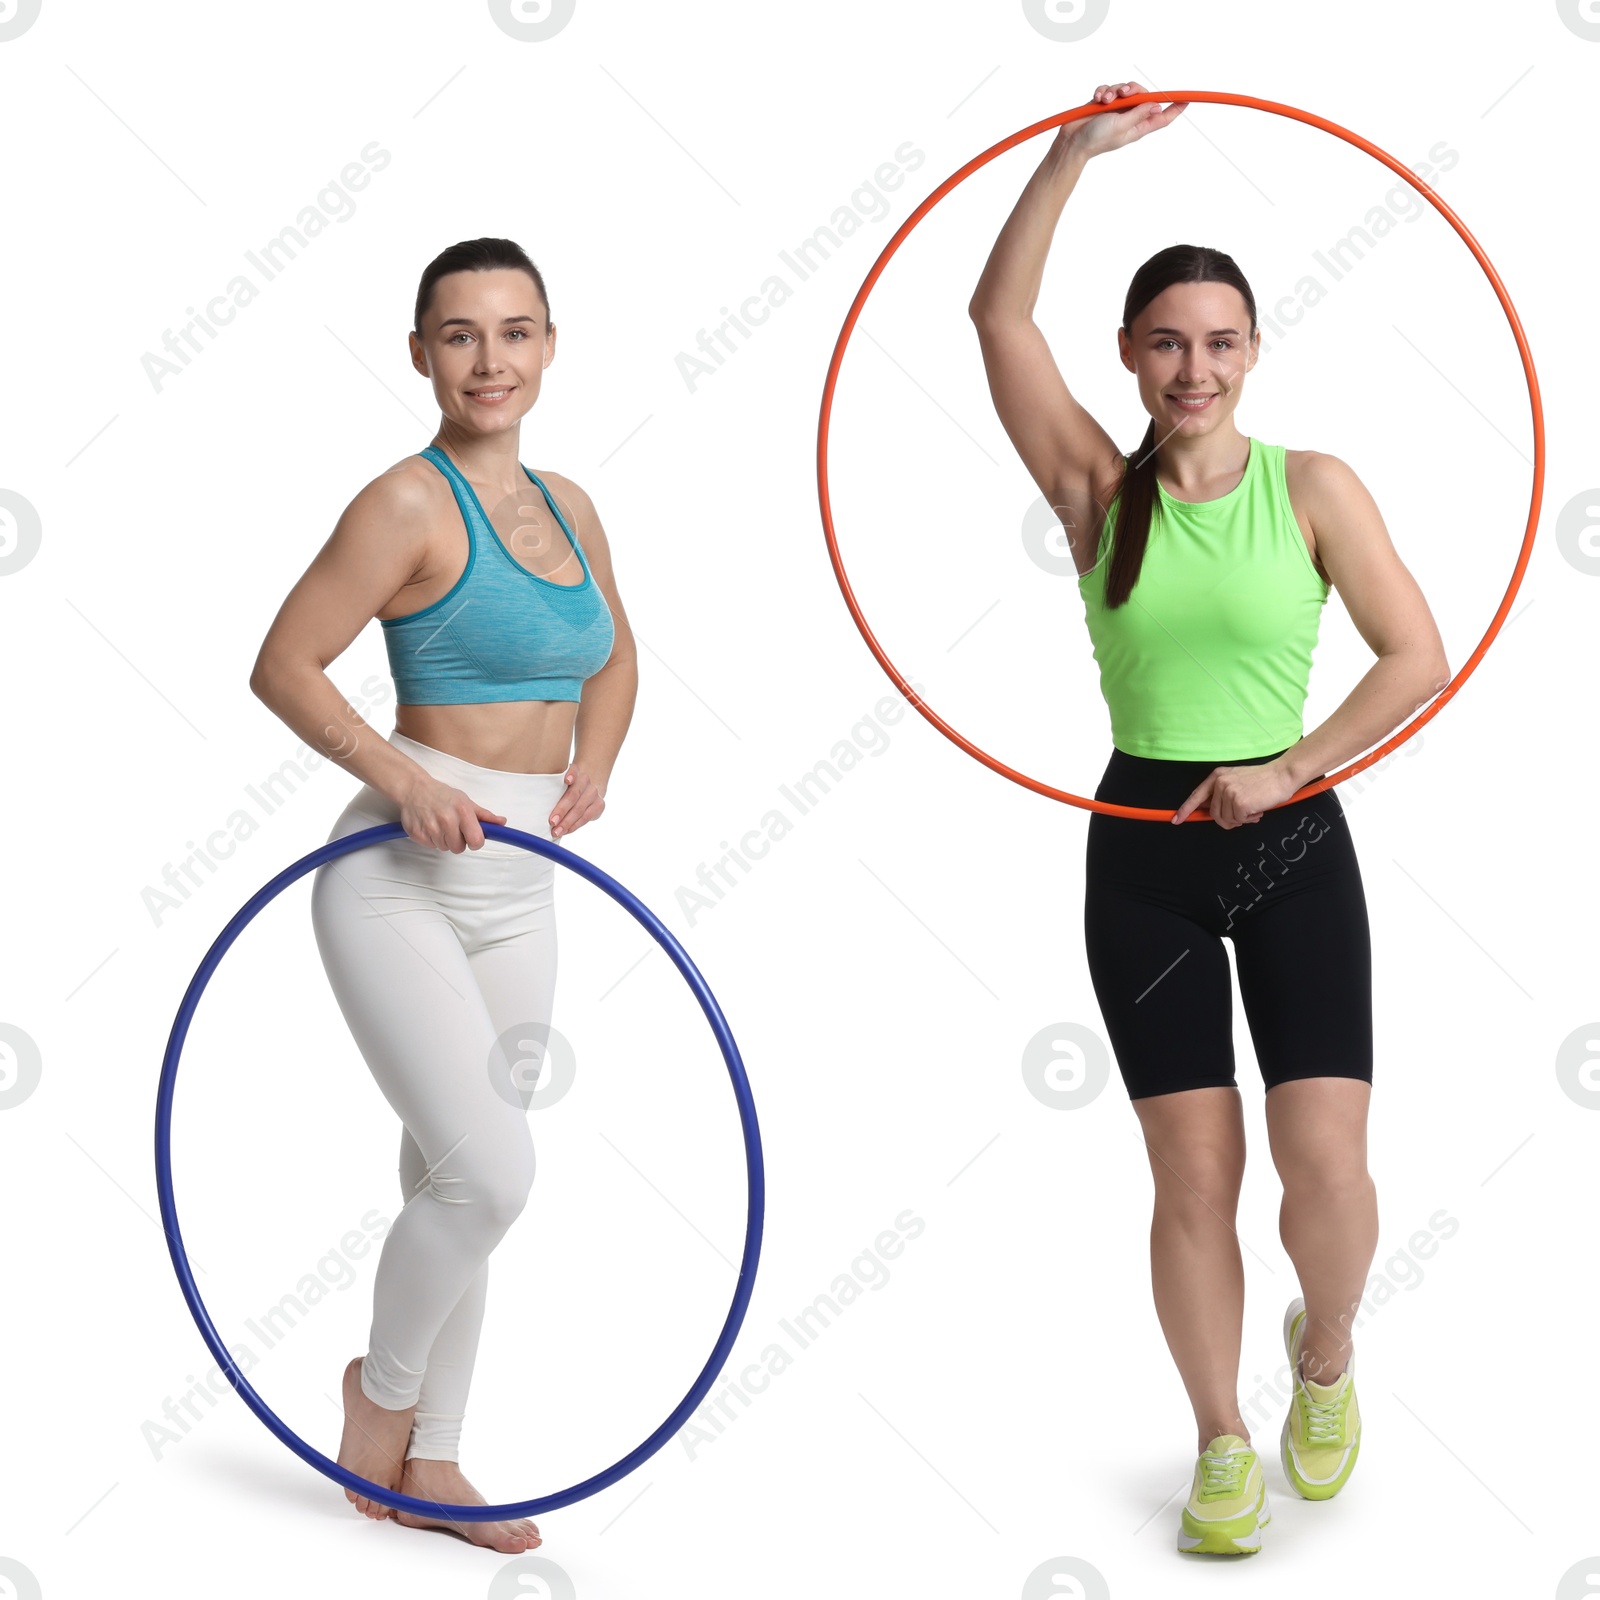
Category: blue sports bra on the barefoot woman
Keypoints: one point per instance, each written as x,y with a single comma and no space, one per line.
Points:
503,633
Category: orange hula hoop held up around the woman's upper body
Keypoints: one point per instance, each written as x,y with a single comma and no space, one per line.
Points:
1167,97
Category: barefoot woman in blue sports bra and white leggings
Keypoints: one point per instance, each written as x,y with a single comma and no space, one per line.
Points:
506,639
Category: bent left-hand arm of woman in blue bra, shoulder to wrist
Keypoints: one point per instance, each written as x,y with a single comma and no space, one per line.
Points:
374,551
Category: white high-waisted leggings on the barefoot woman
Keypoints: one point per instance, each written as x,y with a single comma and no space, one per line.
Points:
444,967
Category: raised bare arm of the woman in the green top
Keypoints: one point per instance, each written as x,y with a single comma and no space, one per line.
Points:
1066,452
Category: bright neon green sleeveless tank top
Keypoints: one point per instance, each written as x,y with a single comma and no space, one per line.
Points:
1210,655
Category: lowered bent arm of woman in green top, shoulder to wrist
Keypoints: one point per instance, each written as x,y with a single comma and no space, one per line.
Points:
1386,607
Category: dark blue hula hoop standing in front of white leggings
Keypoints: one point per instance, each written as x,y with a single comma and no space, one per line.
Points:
753,1156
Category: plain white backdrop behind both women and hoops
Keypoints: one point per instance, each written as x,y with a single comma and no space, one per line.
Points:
1002,1401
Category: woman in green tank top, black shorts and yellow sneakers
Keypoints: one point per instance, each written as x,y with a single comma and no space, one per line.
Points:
1204,582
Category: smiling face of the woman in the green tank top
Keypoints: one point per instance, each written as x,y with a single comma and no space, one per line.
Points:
1193,342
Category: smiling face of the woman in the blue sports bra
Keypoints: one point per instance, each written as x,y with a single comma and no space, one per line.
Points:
486,345
